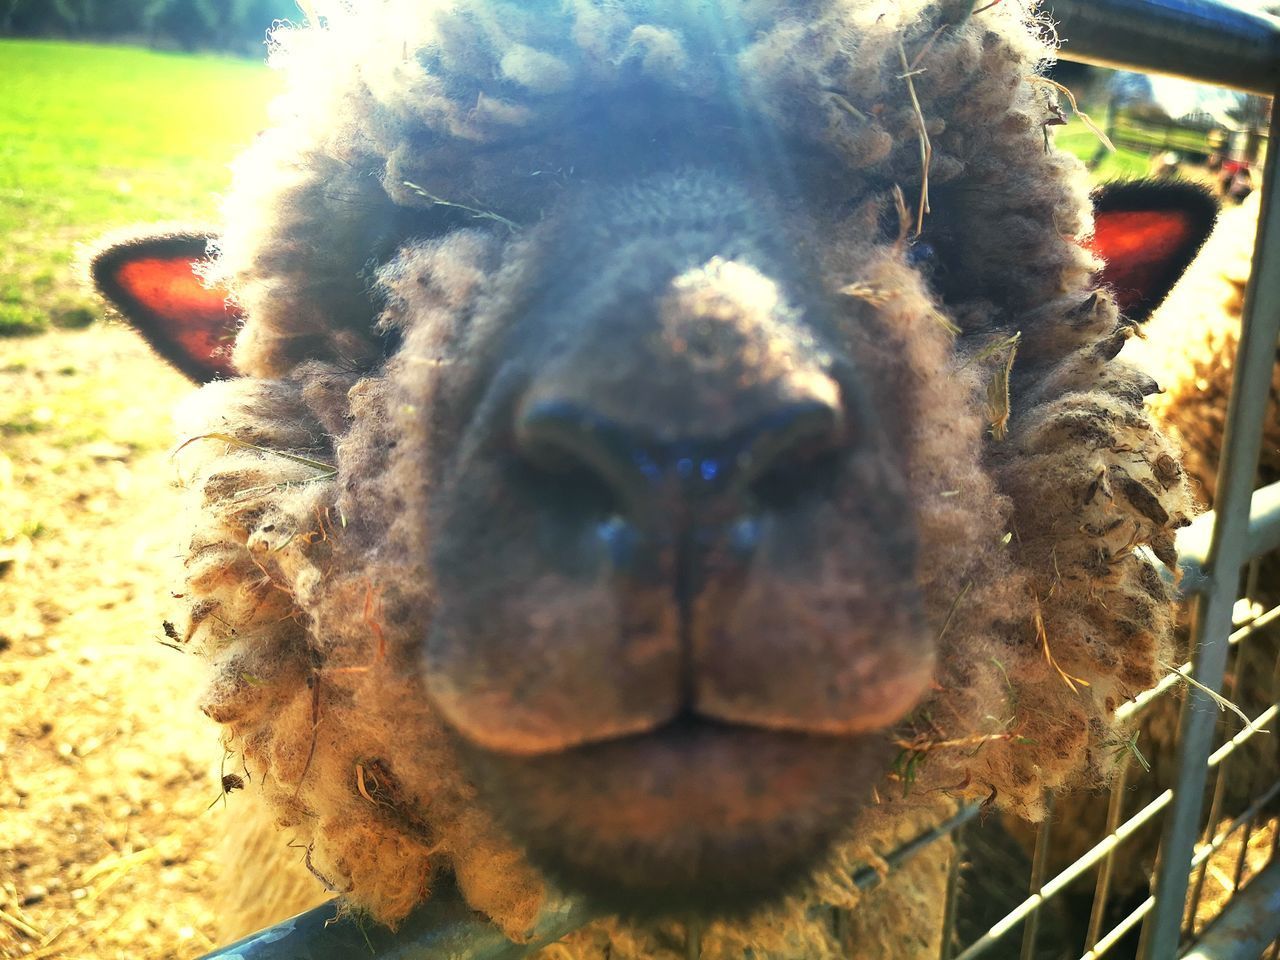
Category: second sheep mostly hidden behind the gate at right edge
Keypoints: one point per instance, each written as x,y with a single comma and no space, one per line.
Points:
1190,349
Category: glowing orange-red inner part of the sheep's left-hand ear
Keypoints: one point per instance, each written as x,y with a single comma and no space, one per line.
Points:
195,318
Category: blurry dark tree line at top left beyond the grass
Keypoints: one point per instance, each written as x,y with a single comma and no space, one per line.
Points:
237,26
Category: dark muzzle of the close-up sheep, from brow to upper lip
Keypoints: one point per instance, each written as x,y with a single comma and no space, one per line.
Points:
673,495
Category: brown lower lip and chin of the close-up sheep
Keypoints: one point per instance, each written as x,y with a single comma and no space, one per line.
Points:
694,817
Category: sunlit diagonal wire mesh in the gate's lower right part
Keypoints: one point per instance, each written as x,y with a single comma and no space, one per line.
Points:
1240,828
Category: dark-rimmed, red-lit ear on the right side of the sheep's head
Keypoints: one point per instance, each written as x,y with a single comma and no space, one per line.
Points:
1149,232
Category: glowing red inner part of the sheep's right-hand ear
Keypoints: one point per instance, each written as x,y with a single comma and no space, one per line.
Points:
1139,248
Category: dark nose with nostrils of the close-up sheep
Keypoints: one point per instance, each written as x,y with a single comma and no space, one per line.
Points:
780,456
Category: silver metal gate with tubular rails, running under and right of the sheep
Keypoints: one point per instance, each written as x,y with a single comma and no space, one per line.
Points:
1212,43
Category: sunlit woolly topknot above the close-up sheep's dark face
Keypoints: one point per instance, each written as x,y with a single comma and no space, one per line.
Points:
396,108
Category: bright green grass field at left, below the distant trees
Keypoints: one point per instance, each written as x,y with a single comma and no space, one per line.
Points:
97,138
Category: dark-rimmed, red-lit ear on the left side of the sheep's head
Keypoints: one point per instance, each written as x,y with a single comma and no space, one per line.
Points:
154,284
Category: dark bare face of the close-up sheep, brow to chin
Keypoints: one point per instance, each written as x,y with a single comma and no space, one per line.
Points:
673,552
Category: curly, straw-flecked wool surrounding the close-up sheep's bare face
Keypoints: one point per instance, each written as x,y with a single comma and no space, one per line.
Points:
304,583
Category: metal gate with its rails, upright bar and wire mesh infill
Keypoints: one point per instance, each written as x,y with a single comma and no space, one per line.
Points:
1213,889
